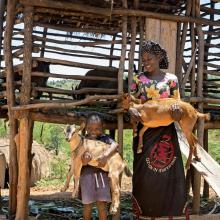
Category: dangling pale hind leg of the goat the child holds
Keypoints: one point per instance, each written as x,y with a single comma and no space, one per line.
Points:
115,191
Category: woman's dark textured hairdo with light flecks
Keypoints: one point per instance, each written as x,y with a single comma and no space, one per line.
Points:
156,49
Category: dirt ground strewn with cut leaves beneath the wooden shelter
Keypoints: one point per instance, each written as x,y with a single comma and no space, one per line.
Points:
50,203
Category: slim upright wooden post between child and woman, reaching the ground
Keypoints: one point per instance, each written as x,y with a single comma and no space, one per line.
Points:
120,87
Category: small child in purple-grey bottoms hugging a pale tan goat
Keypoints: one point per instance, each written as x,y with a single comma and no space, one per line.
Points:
94,182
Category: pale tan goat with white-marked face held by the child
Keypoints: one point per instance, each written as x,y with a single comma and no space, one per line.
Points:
114,166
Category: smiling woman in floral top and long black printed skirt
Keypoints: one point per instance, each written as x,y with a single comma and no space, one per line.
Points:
158,179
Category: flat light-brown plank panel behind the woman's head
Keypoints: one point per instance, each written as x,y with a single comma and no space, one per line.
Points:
163,32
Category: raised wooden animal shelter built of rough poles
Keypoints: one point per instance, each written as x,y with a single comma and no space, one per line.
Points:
104,32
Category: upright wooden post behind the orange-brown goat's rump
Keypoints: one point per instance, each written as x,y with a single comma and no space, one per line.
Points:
200,128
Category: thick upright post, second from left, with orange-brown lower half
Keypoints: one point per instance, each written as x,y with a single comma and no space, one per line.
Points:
25,122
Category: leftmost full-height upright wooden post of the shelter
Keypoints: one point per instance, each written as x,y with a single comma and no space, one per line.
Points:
13,171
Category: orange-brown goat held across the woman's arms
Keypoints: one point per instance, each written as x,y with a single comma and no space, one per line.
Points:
155,113
